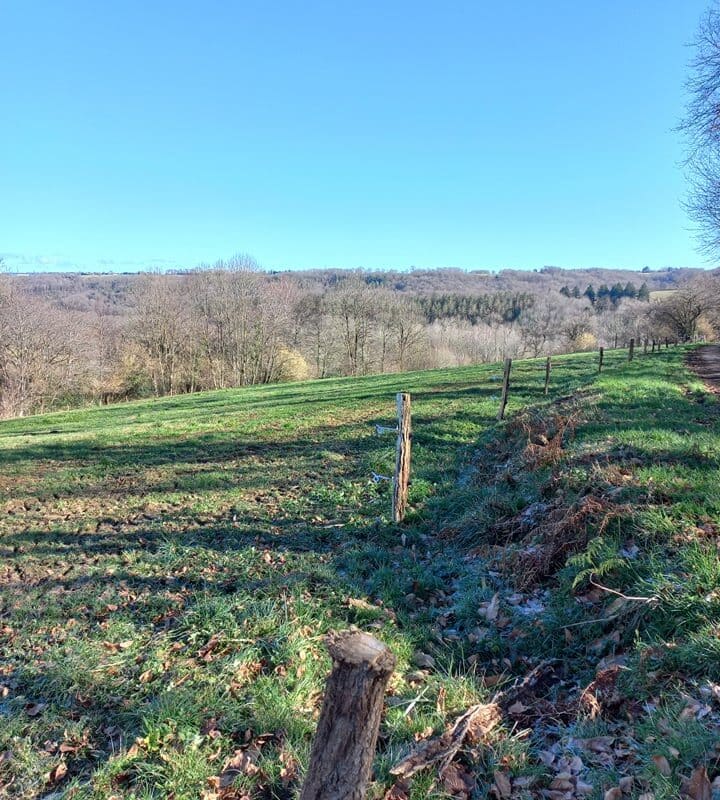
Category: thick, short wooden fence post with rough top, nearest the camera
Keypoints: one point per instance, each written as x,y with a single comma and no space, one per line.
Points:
347,731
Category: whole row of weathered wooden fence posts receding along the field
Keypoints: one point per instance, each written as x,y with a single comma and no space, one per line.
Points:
344,745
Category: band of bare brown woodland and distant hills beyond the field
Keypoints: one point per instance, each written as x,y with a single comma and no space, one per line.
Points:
70,339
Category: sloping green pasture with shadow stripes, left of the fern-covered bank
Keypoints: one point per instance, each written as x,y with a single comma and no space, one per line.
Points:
170,569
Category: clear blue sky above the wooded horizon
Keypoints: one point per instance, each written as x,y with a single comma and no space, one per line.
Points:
463,133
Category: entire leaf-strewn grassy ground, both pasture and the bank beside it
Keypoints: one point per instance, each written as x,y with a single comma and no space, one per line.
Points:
170,569
